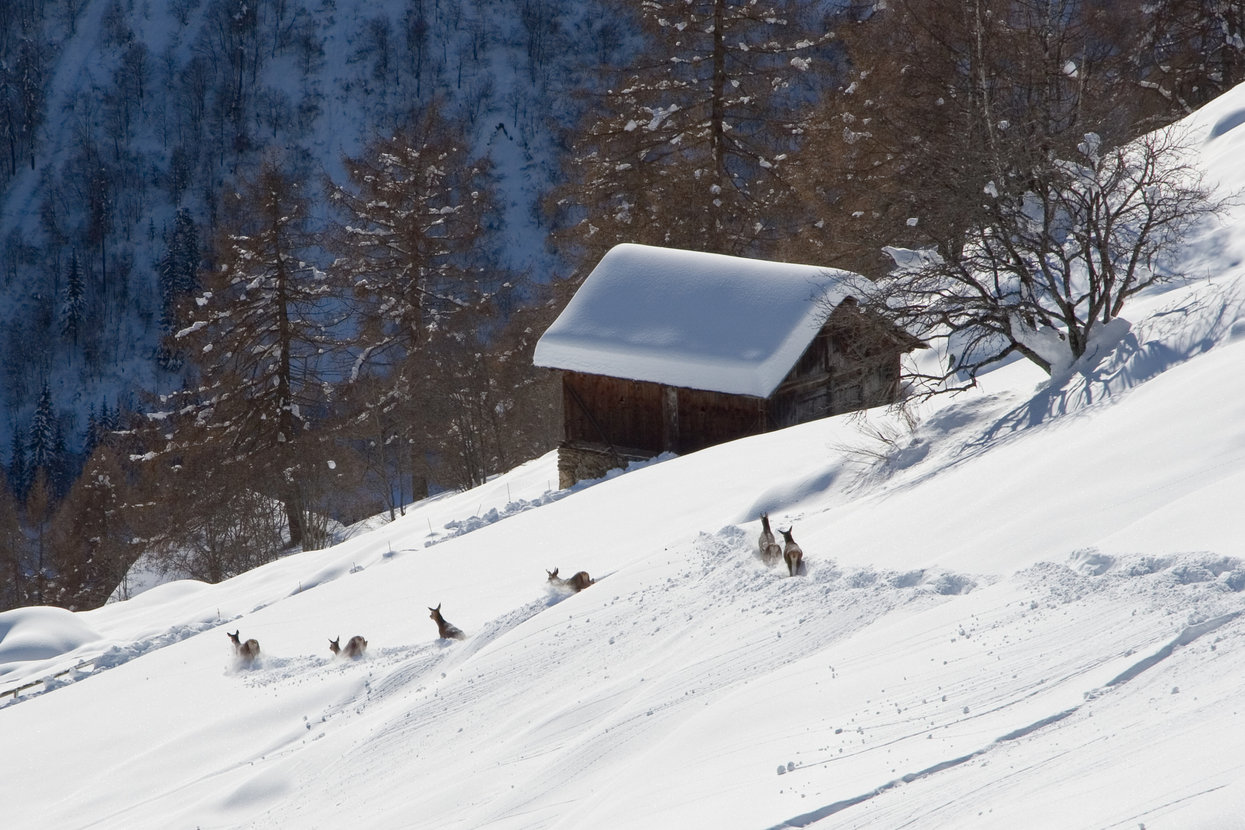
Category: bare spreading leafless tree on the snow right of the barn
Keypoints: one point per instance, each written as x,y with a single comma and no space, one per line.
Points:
1048,266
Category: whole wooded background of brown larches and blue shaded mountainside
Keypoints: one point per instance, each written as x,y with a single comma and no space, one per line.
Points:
271,267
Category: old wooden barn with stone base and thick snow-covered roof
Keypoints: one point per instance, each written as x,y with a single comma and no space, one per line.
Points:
673,352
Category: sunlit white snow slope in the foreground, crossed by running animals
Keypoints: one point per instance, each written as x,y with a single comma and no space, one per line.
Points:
1024,614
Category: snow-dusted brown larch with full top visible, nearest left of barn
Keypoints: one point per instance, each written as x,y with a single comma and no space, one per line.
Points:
415,213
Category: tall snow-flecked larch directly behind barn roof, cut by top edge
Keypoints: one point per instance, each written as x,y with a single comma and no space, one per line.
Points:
688,146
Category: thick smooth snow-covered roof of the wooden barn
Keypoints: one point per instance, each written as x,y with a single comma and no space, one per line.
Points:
702,322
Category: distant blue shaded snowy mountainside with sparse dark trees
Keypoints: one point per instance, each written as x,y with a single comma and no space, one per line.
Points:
155,108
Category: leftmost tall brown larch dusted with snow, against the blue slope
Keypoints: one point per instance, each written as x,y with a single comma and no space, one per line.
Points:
258,337
